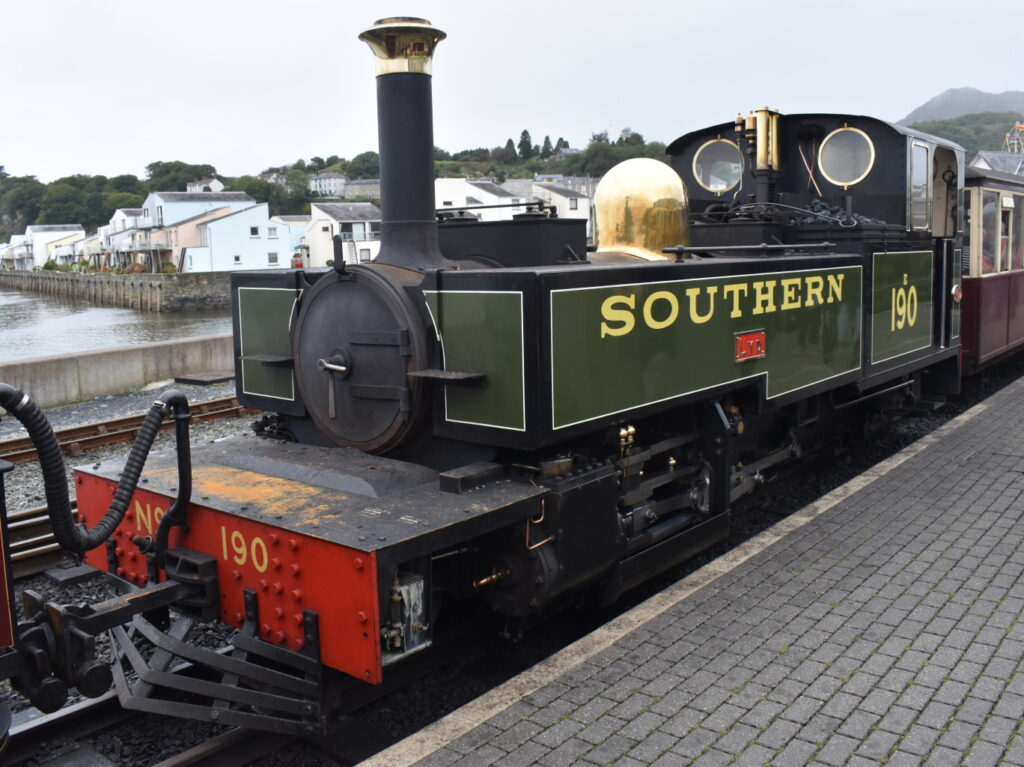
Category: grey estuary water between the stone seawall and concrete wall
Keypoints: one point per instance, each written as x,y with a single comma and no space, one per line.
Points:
34,325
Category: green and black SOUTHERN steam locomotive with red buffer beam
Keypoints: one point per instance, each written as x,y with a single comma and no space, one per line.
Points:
490,413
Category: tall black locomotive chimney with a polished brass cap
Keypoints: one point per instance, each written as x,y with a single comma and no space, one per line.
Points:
404,48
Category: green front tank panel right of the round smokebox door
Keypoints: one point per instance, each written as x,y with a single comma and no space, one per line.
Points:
482,332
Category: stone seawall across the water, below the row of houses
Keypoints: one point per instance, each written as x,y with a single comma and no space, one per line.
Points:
185,292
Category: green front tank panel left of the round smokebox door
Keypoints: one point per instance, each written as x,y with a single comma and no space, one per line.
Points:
265,317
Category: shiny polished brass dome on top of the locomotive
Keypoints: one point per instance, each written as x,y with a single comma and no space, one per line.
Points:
641,207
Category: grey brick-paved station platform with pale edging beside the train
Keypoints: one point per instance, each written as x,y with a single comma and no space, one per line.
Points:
880,625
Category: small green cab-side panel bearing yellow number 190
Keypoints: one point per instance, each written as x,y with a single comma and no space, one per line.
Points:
903,328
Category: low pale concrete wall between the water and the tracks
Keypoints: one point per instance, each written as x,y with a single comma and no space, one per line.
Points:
59,380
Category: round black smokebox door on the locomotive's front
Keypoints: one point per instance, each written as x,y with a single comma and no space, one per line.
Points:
357,338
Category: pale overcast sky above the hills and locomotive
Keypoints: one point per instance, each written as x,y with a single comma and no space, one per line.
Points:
108,88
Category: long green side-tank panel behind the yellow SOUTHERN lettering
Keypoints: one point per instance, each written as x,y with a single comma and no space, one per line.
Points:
806,340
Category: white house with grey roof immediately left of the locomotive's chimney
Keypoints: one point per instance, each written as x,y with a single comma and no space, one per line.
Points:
358,224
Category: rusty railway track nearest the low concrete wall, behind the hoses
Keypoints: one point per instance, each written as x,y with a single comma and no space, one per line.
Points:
78,439
